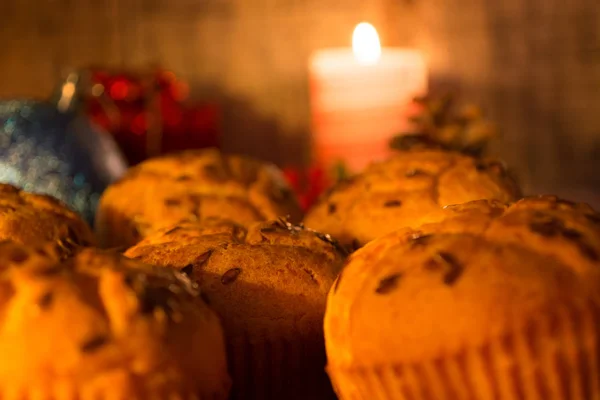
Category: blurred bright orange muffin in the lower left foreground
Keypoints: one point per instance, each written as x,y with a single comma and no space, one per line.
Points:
100,326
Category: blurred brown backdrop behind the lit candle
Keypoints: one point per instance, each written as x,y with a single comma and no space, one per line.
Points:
533,66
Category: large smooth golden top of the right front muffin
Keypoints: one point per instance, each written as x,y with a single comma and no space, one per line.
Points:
485,271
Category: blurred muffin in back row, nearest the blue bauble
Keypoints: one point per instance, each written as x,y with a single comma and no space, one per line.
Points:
194,184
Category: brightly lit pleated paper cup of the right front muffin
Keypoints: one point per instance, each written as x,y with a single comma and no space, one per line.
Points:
554,356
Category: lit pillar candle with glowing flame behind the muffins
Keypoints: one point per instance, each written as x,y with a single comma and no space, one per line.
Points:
358,98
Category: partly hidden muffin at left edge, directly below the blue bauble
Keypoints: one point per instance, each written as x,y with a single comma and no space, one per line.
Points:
31,219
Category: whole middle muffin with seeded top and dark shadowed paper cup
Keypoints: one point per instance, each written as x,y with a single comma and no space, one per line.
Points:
269,284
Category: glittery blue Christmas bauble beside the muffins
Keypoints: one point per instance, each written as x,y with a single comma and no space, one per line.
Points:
43,150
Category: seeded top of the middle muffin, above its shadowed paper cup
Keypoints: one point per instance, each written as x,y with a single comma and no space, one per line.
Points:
270,276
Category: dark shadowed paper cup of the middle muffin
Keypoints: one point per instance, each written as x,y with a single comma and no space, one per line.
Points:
268,366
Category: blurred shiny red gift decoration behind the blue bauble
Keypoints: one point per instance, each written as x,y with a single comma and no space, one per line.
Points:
149,114
